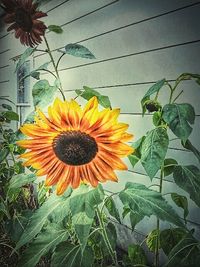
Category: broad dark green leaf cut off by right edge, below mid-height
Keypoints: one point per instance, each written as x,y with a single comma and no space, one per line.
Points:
188,178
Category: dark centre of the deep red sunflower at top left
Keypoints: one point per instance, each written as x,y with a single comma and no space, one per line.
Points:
23,19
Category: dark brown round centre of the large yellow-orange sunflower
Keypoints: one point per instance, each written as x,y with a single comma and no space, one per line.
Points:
75,147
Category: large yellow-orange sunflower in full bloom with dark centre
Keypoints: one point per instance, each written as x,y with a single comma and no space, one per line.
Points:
76,144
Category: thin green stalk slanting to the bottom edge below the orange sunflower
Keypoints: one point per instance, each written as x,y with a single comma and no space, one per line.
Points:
106,239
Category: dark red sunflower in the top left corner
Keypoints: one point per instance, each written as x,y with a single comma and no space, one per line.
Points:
23,15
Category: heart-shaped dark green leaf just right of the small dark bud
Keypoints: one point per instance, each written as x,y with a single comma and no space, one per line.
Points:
179,117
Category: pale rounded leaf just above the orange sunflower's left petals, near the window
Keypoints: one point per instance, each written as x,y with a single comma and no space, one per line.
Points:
43,93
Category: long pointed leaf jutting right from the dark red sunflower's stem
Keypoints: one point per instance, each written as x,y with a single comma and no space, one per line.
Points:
78,50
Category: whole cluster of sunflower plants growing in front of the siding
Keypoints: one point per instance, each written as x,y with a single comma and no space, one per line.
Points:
77,149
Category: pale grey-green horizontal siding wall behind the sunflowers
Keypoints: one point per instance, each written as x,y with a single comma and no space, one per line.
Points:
136,44
